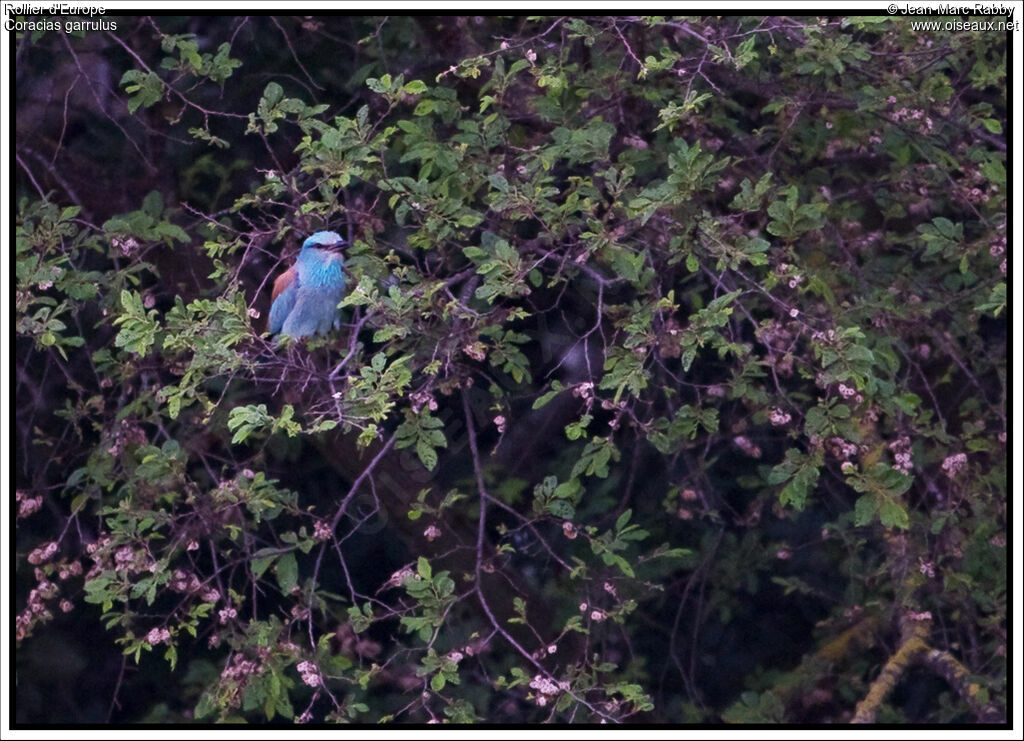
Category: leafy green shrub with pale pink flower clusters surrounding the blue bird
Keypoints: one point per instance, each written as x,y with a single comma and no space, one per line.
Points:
671,385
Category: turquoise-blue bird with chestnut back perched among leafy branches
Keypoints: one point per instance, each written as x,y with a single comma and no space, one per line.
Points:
306,297
